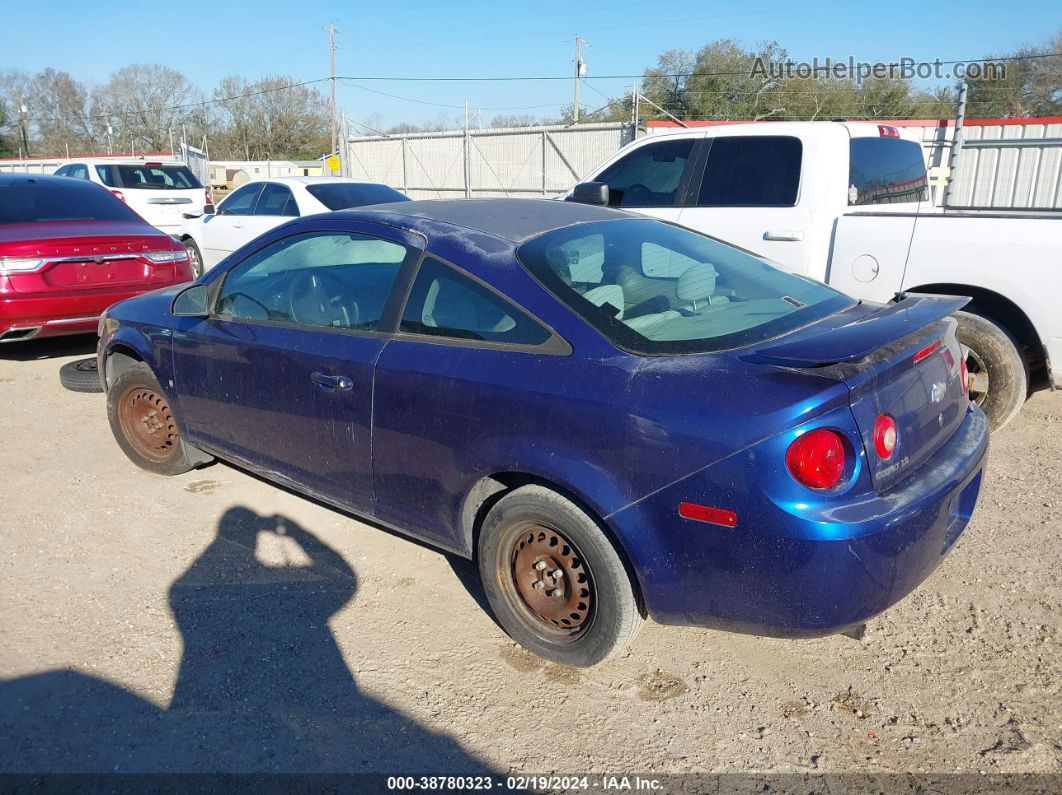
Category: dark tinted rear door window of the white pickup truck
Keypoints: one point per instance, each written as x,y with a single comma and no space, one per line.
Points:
751,171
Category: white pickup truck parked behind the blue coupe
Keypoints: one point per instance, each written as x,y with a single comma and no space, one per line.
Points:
848,204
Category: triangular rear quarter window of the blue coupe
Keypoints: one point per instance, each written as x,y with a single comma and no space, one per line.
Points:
443,303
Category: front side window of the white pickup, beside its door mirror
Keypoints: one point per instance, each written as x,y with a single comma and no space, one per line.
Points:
649,177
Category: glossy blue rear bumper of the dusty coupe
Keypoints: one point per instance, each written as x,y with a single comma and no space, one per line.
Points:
789,572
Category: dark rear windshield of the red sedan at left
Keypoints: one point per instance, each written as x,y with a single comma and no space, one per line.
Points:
39,202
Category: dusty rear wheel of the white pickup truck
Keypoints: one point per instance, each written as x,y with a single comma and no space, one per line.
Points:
998,374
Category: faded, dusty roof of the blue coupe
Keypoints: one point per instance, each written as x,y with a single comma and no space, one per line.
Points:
515,220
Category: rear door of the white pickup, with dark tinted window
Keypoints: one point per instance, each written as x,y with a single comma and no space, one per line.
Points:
746,193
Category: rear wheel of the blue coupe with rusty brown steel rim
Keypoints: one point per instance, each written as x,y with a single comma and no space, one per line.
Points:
556,582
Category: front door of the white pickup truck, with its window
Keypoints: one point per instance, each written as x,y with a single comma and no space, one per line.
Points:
652,179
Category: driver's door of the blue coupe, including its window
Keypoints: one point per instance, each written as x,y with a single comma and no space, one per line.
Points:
280,376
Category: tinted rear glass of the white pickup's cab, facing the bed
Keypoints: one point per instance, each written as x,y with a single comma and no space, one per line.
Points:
886,171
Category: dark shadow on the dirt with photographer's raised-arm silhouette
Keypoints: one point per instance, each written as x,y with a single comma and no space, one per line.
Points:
262,687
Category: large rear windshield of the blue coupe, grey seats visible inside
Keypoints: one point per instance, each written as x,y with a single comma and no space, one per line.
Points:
654,288
